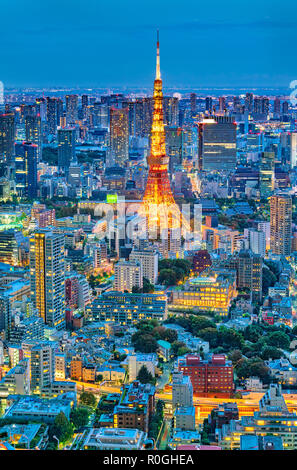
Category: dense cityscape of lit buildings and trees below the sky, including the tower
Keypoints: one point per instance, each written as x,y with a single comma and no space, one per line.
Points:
148,253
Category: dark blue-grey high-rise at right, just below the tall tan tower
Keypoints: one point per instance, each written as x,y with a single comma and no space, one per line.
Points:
249,273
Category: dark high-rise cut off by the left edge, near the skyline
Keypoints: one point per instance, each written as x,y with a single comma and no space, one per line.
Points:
7,135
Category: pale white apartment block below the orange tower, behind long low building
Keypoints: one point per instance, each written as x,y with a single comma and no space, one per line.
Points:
128,274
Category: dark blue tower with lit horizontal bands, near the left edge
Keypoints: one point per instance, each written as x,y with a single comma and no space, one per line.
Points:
26,169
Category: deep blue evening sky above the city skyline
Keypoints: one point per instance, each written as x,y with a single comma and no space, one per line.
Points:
112,42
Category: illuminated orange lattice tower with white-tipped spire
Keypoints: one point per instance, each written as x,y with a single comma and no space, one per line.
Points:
158,191
